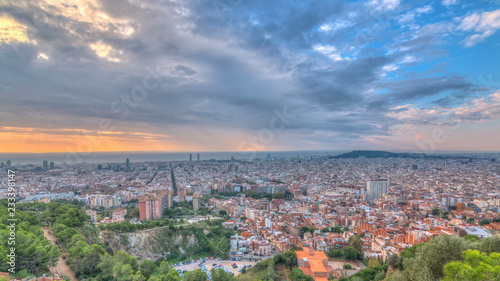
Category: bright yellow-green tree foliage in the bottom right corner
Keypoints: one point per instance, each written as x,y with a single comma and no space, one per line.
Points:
476,266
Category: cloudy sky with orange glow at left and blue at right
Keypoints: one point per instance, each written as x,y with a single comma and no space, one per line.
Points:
241,75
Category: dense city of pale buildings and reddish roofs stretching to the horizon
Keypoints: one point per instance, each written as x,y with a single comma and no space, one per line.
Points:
277,205
